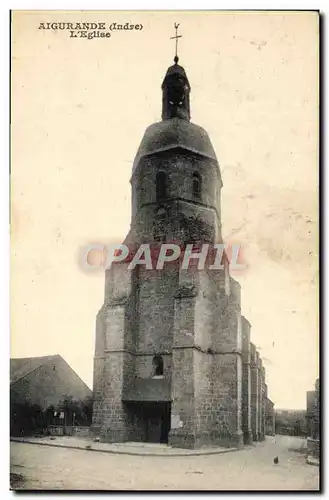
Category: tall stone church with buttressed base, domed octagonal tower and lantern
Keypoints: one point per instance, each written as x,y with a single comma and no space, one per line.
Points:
173,359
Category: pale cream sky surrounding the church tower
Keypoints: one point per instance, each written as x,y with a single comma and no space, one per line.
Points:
79,111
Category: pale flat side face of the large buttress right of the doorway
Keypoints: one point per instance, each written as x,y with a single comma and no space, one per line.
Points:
218,368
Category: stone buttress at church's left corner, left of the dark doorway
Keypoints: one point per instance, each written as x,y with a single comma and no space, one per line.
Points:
113,365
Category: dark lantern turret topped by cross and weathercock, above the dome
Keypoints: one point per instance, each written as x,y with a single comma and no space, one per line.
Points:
176,89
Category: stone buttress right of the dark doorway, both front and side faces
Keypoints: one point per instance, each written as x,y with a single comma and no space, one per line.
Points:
207,364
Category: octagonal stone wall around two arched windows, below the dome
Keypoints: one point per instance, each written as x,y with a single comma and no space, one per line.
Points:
184,217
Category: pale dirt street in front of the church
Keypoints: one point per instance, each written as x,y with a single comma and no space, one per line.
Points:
44,467
